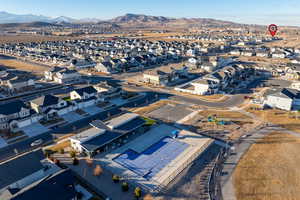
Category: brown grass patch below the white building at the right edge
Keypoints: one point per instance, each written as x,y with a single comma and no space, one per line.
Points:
288,120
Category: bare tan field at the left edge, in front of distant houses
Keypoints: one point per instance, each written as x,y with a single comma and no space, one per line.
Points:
20,65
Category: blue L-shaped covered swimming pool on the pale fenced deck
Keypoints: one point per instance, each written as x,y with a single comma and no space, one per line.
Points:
148,163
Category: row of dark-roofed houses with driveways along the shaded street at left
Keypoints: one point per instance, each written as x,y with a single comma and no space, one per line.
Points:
17,114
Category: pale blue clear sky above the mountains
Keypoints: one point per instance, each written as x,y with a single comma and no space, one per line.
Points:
281,12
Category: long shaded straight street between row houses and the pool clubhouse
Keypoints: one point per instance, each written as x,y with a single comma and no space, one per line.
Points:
24,145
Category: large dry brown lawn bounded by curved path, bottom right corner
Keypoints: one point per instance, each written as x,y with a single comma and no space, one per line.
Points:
270,169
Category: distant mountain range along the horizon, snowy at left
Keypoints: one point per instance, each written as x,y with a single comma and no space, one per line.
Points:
132,20
